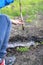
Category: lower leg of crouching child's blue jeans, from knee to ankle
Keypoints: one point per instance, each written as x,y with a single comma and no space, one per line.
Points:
6,39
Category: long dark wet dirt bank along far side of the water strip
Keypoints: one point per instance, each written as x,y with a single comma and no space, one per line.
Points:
27,38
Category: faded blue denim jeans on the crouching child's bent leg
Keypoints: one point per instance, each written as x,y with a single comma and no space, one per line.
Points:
5,26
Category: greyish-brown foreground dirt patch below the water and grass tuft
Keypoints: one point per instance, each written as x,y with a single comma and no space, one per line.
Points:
34,56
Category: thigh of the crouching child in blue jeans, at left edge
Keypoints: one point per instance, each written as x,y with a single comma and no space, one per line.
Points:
3,27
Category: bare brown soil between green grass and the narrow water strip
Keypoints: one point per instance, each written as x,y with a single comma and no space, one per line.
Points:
32,31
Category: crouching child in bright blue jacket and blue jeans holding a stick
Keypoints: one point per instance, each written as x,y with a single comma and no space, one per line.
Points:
5,28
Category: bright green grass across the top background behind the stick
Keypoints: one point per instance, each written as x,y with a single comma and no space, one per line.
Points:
29,7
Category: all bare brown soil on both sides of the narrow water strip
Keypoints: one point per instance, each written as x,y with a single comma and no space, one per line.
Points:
32,31
